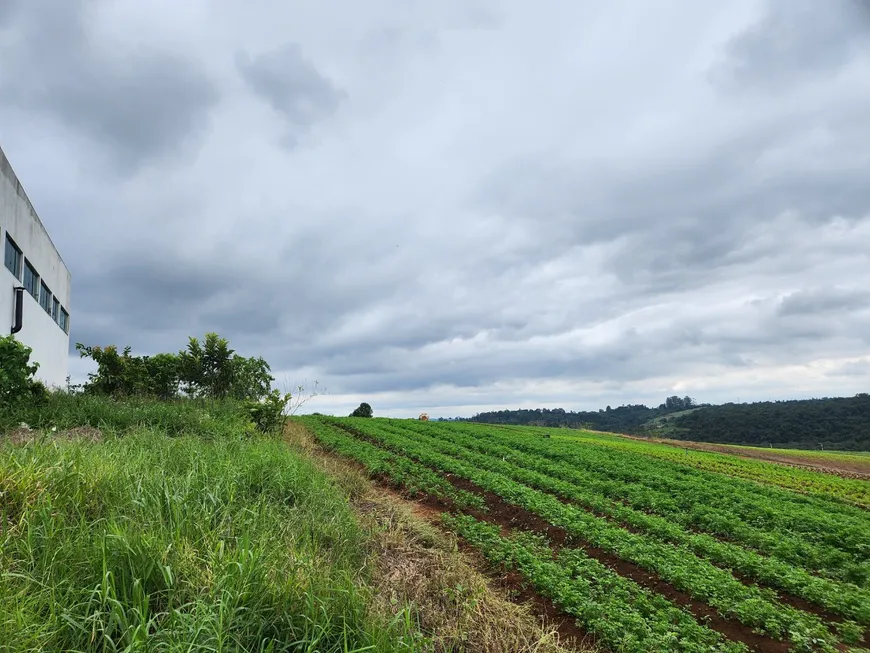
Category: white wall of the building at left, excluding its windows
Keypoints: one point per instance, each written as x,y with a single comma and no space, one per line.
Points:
49,342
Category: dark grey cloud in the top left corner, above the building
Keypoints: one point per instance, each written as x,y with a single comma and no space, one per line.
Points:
138,105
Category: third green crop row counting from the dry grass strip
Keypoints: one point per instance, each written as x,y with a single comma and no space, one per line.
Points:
841,598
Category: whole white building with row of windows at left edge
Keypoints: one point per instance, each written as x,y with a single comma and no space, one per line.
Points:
34,282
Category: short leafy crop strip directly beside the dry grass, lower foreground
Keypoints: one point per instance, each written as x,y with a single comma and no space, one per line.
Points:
620,613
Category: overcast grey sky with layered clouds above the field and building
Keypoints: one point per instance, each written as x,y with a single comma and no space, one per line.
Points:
460,205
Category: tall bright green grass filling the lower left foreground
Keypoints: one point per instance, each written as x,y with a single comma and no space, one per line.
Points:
149,543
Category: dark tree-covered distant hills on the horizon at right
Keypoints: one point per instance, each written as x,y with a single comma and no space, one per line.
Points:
841,423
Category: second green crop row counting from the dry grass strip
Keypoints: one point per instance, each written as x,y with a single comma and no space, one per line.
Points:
703,581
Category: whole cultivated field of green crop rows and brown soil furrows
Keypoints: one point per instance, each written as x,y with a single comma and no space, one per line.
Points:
647,547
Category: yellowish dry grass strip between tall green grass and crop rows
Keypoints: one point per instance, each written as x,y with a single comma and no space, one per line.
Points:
414,563
